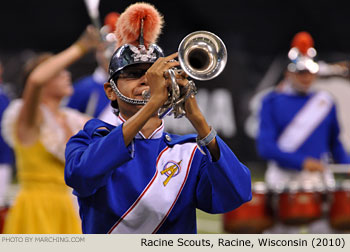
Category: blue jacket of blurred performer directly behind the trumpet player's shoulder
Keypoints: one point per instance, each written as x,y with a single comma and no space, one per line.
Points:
89,96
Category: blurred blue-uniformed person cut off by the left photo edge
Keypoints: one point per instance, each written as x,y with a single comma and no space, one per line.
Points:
6,155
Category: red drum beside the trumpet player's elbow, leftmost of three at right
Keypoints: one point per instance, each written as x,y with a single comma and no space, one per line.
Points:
252,217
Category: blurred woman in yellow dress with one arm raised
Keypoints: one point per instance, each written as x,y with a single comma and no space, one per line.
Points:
38,129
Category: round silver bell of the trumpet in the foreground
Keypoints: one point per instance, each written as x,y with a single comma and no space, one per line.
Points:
202,55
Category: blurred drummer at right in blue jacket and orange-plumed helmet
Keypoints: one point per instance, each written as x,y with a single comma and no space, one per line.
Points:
299,131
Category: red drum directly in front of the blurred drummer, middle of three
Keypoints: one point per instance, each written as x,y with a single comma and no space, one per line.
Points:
300,203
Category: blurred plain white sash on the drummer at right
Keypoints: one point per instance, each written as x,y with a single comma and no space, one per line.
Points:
305,121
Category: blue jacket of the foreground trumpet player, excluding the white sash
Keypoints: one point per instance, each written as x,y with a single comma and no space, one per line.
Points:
108,177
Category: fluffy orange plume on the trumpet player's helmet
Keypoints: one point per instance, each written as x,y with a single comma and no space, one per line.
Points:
129,24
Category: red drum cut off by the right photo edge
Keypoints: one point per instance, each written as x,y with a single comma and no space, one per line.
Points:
339,213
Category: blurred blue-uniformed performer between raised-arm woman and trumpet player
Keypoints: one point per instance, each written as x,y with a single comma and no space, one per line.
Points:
89,96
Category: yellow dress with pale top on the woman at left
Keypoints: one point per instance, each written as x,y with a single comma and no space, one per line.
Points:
44,204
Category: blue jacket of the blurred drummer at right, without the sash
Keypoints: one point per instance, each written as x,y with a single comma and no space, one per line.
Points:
278,110
